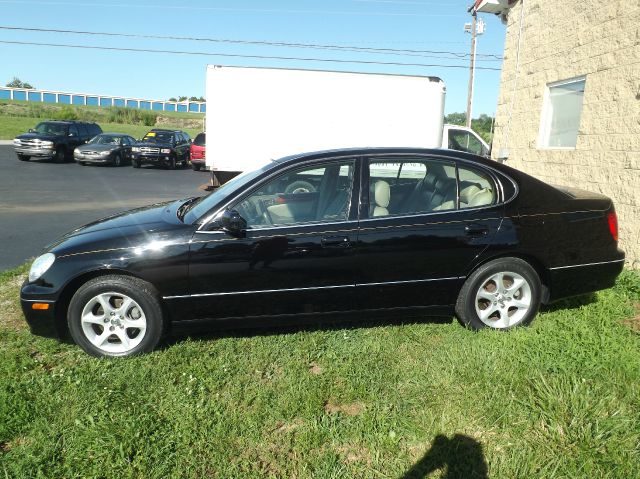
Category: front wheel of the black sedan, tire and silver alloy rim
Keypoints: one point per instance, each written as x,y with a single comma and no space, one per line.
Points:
111,316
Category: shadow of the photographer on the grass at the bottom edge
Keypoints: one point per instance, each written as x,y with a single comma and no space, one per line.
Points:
460,457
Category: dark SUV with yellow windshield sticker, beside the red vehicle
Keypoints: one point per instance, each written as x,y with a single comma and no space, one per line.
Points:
162,147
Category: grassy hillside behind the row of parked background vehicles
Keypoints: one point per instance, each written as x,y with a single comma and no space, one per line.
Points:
18,116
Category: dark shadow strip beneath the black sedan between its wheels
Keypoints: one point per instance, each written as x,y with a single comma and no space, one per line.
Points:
211,330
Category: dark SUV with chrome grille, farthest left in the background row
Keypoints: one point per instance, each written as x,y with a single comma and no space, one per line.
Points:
54,139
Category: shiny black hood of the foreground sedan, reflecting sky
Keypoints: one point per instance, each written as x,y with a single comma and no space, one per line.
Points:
129,229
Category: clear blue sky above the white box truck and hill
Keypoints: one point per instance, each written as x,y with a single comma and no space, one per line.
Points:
425,27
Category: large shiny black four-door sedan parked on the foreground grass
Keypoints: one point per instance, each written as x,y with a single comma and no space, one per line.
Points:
372,230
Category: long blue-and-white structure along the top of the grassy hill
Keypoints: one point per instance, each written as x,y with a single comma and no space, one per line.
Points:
66,98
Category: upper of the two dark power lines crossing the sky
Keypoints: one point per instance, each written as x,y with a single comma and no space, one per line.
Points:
385,51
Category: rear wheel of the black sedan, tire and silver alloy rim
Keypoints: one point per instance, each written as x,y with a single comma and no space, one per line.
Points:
502,294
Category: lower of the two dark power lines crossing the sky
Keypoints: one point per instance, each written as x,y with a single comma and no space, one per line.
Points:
233,55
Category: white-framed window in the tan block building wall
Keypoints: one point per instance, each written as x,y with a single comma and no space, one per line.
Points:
561,114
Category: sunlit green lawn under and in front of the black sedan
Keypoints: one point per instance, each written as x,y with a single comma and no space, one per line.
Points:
560,399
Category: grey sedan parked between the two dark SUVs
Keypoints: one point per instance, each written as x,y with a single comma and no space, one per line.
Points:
106,148
